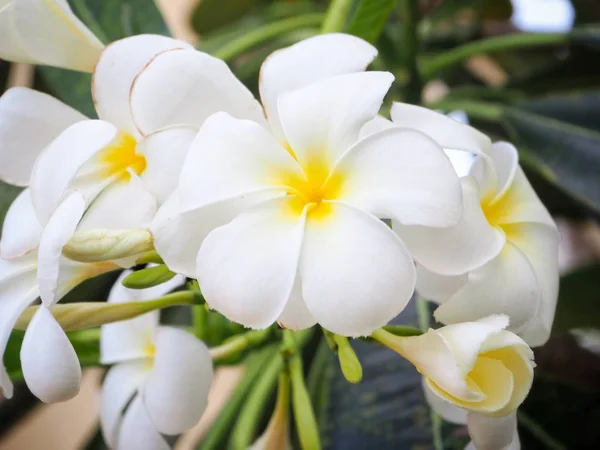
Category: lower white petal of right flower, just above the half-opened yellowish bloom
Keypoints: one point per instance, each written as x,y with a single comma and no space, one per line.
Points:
506,285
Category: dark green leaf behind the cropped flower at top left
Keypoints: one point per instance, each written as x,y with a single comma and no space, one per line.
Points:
110,20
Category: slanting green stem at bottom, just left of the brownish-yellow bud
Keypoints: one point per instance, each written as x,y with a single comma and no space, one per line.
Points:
247,423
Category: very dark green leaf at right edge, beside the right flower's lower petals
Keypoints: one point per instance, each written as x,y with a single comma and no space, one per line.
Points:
578,305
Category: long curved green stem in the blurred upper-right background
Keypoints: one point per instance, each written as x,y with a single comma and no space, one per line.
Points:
502,43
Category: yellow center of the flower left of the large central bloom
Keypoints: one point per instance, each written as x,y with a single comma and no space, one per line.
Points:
119,156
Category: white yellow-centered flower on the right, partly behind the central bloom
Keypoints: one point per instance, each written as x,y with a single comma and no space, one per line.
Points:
503,255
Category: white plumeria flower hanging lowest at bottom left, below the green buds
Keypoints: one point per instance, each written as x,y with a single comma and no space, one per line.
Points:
160,380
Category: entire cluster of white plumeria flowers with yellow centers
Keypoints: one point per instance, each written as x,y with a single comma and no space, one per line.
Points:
305,208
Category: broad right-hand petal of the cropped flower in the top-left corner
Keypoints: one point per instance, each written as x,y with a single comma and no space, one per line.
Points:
53,35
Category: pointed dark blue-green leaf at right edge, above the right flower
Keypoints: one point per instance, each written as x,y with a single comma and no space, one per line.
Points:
565,154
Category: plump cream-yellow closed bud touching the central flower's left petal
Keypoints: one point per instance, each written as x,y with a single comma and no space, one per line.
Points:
106,245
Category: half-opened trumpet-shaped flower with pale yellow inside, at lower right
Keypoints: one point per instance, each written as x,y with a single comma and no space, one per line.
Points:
478,366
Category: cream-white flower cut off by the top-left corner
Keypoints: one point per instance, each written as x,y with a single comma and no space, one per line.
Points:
46,32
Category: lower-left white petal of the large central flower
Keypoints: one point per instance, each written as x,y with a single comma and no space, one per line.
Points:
247,268
